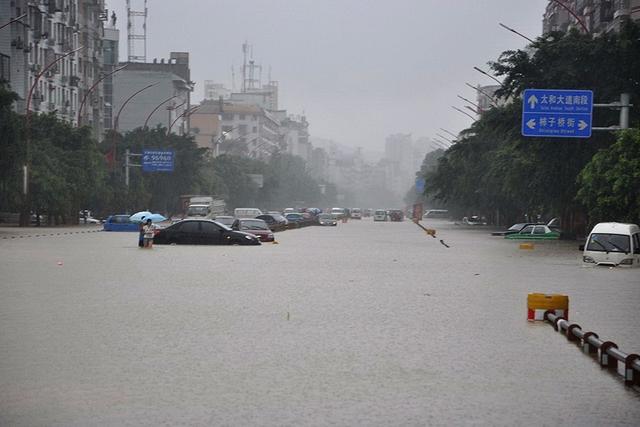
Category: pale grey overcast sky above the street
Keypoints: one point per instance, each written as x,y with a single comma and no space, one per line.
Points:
359,69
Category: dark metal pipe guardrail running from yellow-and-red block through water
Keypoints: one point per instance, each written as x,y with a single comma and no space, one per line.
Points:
607,352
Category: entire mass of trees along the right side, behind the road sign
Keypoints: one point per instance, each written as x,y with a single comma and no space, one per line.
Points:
494,171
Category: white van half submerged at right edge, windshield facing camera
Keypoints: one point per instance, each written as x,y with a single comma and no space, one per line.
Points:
613,243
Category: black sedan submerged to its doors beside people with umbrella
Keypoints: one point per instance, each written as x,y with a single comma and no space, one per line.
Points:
203,232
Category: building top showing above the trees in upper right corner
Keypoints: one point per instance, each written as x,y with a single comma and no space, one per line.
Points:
599,16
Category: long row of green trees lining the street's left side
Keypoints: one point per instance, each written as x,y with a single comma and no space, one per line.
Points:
70,171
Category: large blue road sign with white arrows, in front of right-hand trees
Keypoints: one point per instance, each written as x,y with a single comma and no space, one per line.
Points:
557,113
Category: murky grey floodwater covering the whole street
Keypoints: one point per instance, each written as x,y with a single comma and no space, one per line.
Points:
361,324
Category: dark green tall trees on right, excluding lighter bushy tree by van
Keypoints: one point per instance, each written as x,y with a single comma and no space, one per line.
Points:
494,169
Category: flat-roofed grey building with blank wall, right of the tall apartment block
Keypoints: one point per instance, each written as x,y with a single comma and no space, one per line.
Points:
171,92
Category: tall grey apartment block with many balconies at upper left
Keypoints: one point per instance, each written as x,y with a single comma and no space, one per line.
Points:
48,31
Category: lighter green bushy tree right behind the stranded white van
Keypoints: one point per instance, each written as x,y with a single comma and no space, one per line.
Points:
610,182
